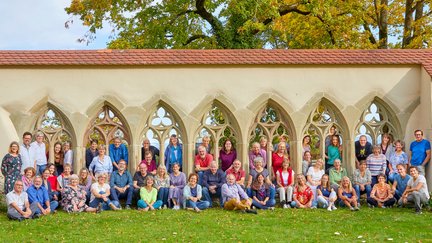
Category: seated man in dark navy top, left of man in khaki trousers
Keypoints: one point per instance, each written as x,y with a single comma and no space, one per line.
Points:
213,180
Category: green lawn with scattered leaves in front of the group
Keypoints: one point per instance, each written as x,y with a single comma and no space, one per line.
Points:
217,225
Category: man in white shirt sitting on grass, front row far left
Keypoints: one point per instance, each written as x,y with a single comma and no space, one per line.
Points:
18,204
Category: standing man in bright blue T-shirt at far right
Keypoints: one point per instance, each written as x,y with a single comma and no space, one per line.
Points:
420,152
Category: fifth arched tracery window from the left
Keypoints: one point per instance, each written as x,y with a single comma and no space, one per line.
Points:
271,123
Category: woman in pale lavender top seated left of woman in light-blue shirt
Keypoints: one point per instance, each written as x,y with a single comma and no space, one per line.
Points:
178,182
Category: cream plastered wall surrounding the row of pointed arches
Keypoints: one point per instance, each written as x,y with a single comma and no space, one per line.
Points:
79,93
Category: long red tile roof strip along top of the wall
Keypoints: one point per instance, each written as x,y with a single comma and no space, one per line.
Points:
217,57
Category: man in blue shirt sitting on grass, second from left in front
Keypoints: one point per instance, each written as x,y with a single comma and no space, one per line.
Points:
39,194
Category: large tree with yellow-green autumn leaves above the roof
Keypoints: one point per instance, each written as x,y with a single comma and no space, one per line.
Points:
259,23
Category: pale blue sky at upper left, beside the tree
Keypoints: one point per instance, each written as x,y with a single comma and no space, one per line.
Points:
40,25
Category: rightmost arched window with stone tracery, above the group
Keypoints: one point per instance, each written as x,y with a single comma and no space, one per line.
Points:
375,121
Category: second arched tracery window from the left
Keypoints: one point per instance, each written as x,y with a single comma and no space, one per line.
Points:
107,125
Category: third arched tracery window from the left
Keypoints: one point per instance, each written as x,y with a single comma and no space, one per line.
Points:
160,126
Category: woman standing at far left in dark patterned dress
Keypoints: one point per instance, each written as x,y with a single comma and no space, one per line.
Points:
11,167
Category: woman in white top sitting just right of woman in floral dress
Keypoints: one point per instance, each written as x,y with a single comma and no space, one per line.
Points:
100,192
